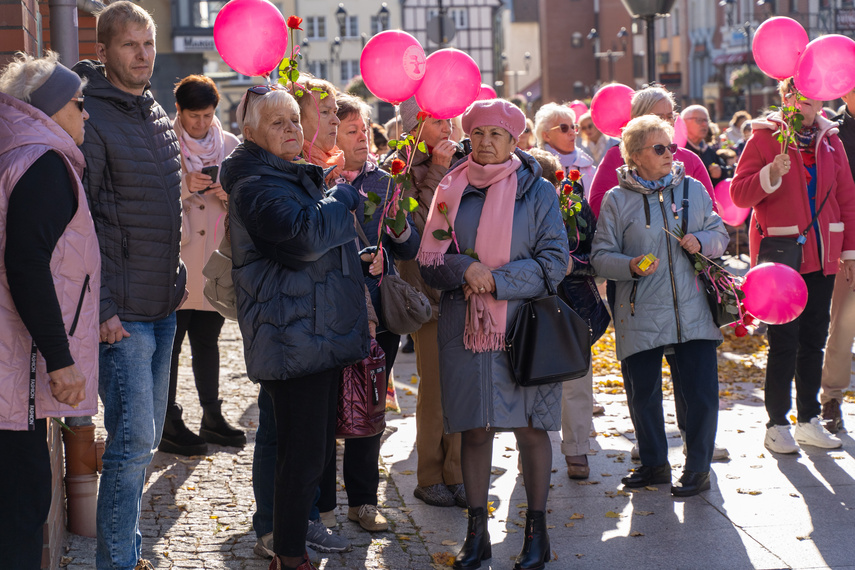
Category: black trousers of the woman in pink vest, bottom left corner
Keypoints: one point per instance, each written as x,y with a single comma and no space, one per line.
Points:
25,484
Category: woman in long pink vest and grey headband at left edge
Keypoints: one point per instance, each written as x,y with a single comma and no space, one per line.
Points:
50,277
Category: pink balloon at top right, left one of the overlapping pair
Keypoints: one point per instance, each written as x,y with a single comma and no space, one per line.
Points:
777,44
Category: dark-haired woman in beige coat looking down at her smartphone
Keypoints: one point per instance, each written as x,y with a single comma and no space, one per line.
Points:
204,145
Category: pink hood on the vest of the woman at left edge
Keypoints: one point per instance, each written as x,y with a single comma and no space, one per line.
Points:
22,124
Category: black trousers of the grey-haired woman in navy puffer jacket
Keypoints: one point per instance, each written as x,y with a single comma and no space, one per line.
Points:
305,412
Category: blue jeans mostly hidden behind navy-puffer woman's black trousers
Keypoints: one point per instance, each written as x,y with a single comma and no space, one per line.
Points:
264,468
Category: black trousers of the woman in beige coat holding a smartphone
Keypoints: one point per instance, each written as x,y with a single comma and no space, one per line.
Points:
203,328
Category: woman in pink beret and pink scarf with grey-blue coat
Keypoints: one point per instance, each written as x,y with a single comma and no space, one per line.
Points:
498,206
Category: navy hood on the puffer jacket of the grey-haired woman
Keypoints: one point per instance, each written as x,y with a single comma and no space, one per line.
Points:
249,159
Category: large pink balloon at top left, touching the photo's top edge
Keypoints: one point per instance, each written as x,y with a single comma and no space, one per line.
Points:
251,36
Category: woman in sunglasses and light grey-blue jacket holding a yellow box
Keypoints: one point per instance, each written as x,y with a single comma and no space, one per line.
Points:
661,306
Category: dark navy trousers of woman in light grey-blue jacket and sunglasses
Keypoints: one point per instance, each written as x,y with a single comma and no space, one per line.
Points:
697,369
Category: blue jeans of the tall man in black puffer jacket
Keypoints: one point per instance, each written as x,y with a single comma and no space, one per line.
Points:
133,385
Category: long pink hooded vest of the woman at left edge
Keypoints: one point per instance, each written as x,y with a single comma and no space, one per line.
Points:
26,134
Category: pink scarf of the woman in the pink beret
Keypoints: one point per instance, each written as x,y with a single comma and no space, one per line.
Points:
486,317
